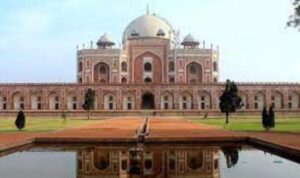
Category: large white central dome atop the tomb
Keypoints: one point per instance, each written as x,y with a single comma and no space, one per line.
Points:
149,25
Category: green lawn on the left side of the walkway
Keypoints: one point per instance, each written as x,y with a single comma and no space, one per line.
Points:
43,125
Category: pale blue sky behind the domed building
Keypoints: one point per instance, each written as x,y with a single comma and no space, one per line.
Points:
38,38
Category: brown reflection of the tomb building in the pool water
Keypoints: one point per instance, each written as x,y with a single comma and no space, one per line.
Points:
149,161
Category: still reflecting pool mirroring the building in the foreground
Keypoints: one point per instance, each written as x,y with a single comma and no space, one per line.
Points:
184,161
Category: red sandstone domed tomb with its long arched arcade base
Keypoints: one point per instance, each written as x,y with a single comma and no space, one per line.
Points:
152,70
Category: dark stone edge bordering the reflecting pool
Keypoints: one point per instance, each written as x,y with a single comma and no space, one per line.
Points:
282,150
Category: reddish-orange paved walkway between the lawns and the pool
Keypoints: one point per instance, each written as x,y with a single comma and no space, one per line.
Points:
159,130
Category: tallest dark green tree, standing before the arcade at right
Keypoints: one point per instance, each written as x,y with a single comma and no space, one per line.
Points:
230,101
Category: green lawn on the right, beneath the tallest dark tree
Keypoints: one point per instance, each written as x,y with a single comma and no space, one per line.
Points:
253,124
